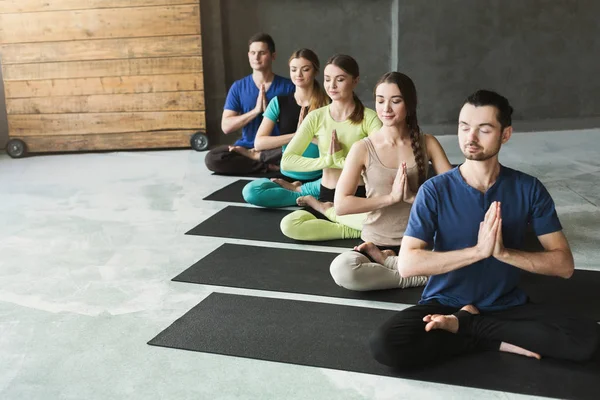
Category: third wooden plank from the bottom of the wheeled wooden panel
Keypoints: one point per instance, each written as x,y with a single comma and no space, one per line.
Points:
167,101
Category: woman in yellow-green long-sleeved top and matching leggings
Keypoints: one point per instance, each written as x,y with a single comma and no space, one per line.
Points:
335,127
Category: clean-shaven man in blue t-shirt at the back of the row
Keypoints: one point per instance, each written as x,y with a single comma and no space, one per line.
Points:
246,101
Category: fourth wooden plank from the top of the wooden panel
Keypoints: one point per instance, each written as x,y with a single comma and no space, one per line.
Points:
87,69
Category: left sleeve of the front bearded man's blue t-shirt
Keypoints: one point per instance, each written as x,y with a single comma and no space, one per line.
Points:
422,223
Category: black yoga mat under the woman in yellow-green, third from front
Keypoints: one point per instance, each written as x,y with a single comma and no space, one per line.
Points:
252,223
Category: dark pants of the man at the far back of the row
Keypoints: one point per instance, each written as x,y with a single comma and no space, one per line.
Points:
223,161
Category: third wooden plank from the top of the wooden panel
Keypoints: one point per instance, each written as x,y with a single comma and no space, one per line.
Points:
103,49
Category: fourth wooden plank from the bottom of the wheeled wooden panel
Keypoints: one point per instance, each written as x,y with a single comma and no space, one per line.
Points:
104,85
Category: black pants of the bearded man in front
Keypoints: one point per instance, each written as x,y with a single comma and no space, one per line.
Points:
403,343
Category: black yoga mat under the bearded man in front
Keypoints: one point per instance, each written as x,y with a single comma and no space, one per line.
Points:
335,336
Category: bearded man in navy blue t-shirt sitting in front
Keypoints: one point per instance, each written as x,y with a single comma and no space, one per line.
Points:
476,216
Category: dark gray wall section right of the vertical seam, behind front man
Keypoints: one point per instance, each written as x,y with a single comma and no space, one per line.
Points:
541,54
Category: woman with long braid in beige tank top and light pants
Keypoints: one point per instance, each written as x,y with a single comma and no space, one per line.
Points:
393,163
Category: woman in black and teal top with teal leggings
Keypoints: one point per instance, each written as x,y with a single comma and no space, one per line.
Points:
287,112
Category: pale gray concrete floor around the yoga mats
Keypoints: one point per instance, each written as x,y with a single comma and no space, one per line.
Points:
89,243
